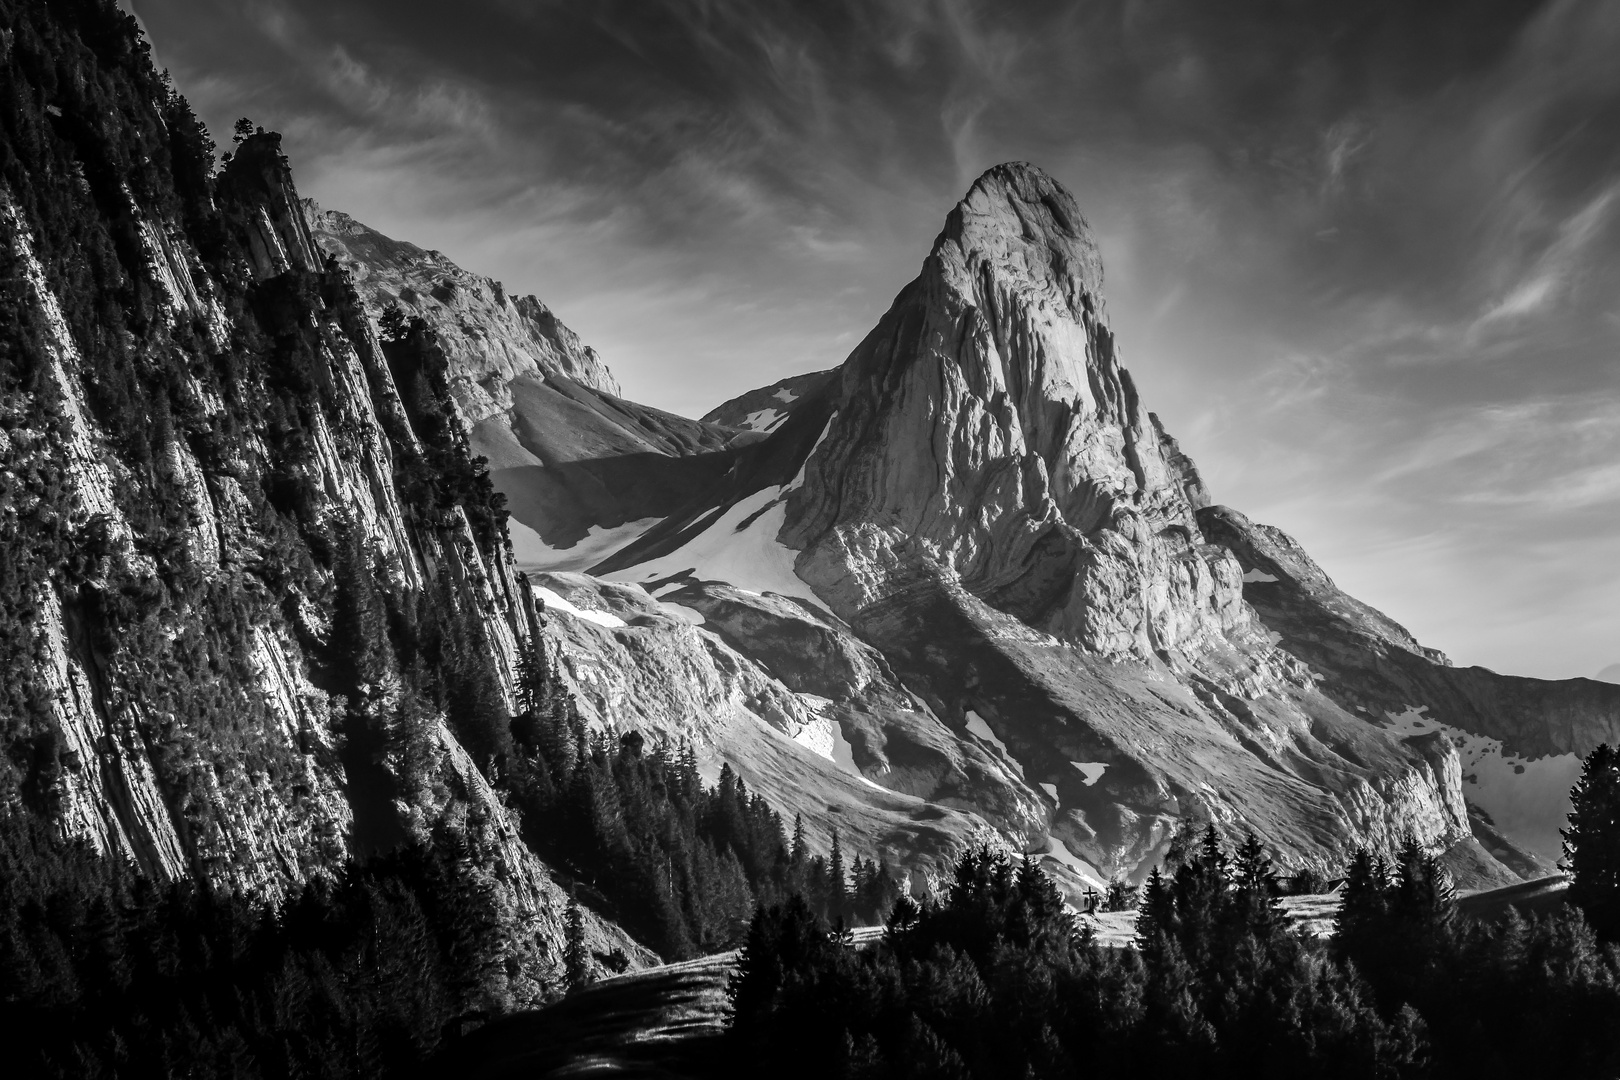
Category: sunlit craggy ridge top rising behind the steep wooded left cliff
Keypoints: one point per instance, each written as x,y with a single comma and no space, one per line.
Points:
497,338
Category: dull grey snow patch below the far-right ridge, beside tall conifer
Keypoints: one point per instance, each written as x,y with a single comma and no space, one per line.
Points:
1527,799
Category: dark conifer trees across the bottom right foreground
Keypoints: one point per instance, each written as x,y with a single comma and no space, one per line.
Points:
997,980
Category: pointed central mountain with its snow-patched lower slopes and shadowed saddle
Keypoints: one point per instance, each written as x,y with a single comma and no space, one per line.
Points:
966,587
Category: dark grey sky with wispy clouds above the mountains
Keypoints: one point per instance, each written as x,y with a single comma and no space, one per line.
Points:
1362,258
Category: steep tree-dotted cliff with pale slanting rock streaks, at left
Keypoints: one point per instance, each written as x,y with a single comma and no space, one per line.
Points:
254,595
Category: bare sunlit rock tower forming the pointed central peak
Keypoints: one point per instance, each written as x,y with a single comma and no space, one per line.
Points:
986,425
